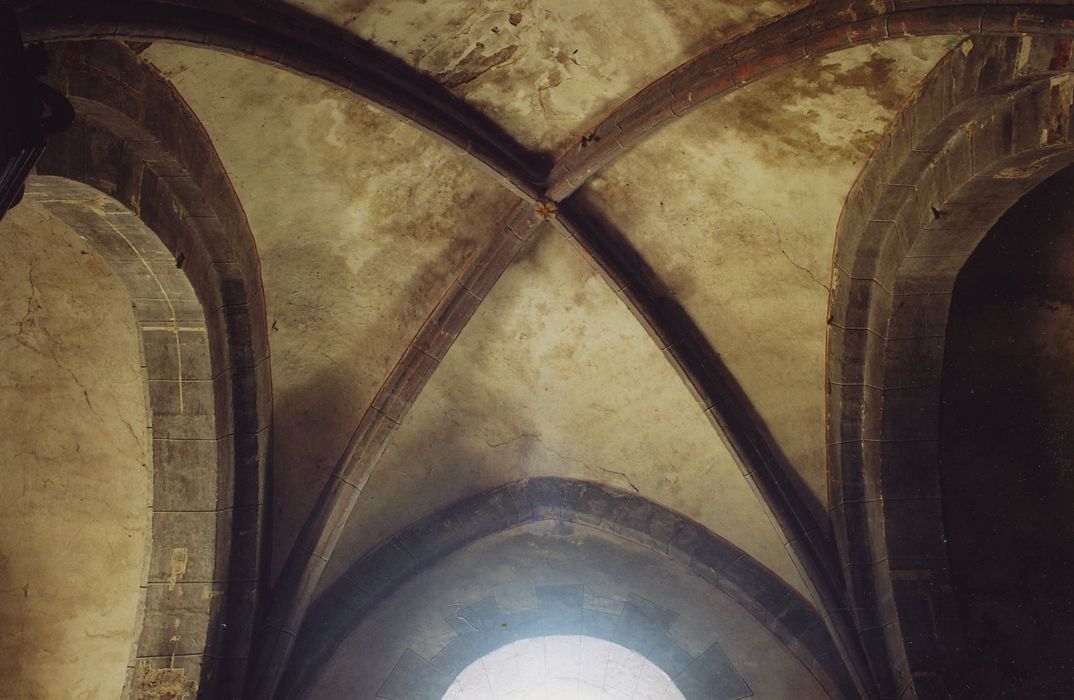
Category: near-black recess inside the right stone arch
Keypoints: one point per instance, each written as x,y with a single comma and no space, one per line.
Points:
1007,447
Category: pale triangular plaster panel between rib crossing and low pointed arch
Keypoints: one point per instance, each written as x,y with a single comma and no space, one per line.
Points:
555,377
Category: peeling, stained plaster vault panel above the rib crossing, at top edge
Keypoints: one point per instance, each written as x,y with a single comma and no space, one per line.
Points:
545,69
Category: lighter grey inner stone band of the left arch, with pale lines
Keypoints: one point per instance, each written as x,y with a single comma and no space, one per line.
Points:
186,470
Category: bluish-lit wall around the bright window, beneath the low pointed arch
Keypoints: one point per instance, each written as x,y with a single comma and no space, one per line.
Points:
556,578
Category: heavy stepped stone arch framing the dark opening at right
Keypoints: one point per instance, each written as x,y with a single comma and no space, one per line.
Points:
992,122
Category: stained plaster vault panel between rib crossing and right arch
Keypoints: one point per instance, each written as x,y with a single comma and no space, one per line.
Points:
735,207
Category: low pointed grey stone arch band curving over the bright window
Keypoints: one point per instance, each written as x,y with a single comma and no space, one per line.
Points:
786,614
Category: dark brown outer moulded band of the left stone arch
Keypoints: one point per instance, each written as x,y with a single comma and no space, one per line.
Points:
173,182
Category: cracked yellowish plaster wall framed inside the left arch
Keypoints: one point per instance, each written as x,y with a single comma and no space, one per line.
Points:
76,474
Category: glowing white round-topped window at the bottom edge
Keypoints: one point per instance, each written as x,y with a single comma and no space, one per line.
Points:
563,668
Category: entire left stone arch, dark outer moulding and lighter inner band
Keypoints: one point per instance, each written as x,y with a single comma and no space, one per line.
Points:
197,291
